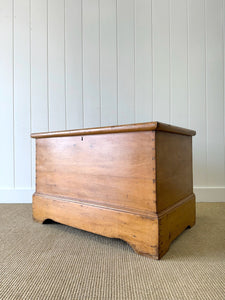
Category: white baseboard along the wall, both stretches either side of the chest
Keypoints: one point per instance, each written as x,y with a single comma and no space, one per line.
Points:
203,194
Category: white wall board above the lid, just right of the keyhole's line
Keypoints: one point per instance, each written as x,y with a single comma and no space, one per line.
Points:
91,63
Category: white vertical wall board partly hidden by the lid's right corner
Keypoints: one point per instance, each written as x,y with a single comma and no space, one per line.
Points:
197,87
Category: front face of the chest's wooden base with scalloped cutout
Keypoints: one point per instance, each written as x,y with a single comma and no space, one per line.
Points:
132,228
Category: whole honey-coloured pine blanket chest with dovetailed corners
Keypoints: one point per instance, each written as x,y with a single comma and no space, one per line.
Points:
132,182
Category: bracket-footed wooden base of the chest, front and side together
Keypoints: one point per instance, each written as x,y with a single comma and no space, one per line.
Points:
150,236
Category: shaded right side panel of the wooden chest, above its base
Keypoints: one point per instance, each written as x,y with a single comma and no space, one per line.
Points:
174,168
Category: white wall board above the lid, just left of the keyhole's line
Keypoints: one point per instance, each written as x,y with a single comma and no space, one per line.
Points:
73,64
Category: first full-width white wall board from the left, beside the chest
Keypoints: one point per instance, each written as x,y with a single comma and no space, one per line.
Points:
22,95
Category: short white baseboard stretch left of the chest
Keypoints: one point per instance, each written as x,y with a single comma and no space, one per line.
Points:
16,195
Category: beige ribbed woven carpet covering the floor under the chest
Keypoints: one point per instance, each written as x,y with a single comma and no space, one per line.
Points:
53,261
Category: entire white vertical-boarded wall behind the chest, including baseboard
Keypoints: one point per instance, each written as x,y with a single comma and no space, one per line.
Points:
67,64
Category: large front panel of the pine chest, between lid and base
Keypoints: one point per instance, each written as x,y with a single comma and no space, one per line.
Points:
115,169
